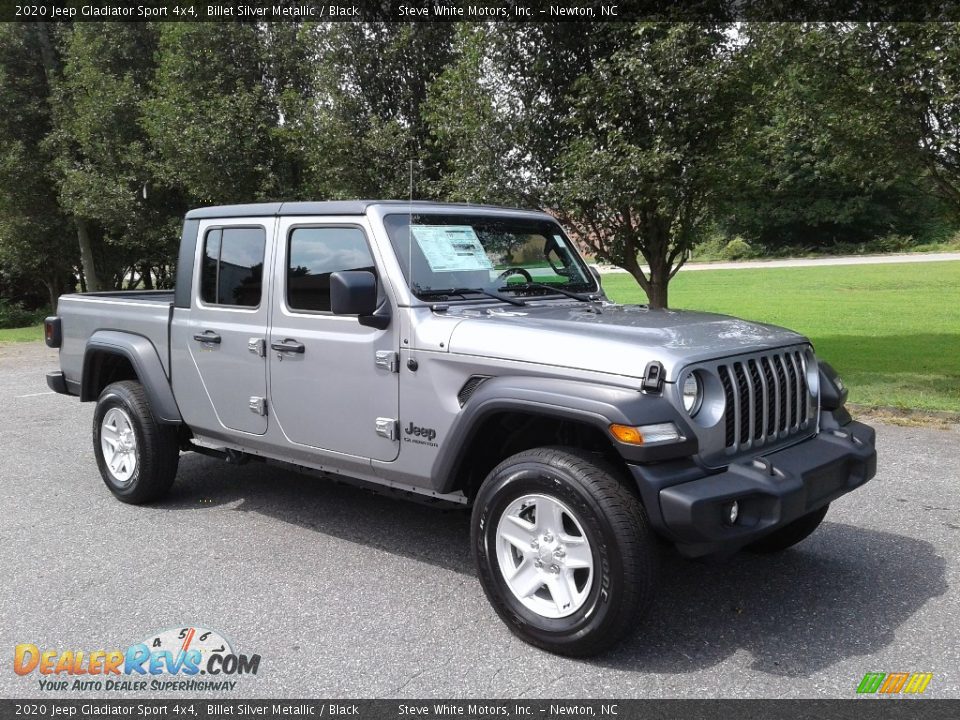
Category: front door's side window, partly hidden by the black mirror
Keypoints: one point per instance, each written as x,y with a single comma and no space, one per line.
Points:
315,253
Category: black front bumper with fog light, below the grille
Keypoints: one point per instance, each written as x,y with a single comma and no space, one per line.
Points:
771,490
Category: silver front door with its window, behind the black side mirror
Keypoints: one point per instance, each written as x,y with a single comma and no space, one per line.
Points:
327,390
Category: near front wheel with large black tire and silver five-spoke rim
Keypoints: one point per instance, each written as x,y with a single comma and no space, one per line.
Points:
591,518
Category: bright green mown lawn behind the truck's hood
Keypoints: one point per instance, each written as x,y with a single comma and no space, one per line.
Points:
891,331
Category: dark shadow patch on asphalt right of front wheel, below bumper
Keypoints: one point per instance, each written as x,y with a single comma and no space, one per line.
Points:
841,593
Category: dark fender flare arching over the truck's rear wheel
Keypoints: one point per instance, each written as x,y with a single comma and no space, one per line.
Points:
146,364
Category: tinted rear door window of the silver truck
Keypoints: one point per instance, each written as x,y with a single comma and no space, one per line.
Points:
232,266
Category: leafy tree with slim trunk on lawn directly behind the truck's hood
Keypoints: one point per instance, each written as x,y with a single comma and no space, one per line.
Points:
613,128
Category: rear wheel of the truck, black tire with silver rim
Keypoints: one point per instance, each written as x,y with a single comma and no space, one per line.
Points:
146,465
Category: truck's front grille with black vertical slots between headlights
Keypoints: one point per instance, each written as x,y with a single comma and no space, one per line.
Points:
767,398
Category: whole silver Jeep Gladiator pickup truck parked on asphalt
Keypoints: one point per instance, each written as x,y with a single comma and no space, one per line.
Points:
467,355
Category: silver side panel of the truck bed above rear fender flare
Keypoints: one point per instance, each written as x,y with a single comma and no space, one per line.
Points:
142,312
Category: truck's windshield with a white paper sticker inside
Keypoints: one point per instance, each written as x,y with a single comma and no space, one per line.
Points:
457,253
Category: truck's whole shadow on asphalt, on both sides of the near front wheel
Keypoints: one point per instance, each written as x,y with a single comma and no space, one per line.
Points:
841,593
